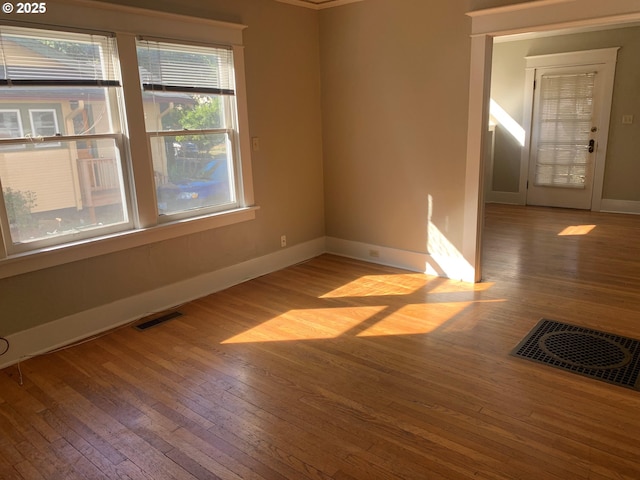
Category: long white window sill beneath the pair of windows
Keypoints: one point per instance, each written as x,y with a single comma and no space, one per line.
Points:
71,252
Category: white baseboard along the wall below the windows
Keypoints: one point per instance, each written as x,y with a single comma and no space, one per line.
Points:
76,327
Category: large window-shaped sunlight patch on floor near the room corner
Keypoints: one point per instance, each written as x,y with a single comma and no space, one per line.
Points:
376,305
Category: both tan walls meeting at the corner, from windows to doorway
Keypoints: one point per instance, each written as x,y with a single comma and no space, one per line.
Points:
393,115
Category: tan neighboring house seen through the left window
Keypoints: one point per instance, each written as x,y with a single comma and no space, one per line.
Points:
72,176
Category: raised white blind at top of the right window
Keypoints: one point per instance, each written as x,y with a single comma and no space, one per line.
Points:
185,68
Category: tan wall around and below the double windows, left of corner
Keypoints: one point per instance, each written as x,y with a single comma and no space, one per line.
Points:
283,87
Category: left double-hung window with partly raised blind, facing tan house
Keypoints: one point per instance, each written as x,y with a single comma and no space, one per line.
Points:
60,138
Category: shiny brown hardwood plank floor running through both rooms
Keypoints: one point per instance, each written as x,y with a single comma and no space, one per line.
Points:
338,369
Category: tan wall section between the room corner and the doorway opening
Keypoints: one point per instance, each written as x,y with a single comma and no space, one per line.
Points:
395,79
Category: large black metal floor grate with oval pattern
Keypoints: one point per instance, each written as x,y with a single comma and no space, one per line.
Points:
603,356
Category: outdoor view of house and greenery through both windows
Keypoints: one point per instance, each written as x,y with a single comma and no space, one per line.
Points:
78,182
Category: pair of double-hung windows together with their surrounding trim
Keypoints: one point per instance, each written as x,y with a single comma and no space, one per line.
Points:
110,141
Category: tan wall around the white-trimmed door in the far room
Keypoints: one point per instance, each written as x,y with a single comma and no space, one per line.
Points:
621,168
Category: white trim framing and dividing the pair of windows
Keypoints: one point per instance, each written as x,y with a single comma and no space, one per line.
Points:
128,23
